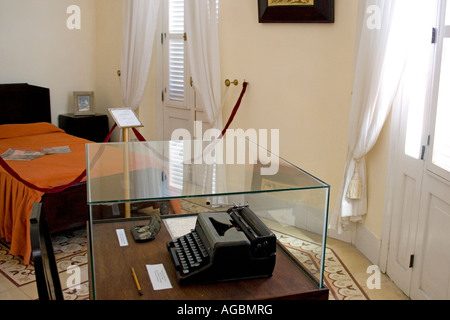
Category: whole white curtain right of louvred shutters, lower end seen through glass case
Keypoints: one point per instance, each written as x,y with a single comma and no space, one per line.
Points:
202,29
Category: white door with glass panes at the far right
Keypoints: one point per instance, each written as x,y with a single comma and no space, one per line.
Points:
419,243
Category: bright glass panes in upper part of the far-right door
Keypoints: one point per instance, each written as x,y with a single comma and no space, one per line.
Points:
427,85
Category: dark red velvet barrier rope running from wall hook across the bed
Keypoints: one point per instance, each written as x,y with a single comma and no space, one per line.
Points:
83,174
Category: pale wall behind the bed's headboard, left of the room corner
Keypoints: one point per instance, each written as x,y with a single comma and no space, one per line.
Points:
36,47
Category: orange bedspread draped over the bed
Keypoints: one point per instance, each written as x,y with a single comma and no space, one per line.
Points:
48,171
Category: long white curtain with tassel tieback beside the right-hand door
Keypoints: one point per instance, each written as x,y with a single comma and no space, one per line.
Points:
382,49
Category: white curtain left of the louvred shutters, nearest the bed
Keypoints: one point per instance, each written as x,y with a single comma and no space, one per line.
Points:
140,19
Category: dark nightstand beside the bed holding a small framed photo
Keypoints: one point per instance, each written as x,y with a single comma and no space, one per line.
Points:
90,127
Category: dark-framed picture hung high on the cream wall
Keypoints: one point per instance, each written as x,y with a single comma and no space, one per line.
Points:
306,11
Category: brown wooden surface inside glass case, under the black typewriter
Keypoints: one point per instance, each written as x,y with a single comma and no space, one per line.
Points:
114,281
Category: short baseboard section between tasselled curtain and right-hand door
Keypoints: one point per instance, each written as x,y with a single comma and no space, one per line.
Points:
367,243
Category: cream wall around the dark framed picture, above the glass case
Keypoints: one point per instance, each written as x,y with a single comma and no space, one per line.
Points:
300,81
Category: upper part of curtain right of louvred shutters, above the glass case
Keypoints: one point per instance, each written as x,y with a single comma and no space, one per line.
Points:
202,29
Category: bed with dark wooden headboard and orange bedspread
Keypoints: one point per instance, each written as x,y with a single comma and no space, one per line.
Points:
25,124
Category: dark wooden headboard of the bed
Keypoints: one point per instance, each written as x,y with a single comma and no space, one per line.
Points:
24,103
